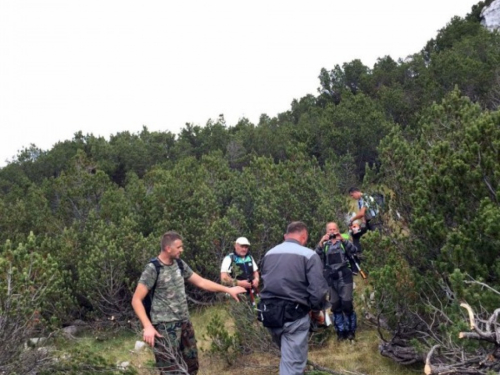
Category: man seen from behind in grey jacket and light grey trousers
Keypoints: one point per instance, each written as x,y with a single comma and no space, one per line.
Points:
293,285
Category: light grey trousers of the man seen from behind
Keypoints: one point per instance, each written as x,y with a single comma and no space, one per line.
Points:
292,340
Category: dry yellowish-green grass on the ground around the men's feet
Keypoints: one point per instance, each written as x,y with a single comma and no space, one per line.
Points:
359,357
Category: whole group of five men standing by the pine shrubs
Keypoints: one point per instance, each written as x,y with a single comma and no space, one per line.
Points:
298,284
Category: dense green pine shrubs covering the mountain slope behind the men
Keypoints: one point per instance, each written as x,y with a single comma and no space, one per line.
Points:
79,221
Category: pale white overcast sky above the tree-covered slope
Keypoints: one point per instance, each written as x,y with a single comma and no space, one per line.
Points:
107,66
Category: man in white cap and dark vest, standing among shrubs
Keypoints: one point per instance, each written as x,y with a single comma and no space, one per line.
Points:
239,268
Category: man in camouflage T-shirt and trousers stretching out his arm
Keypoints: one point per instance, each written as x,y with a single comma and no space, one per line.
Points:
170,331
